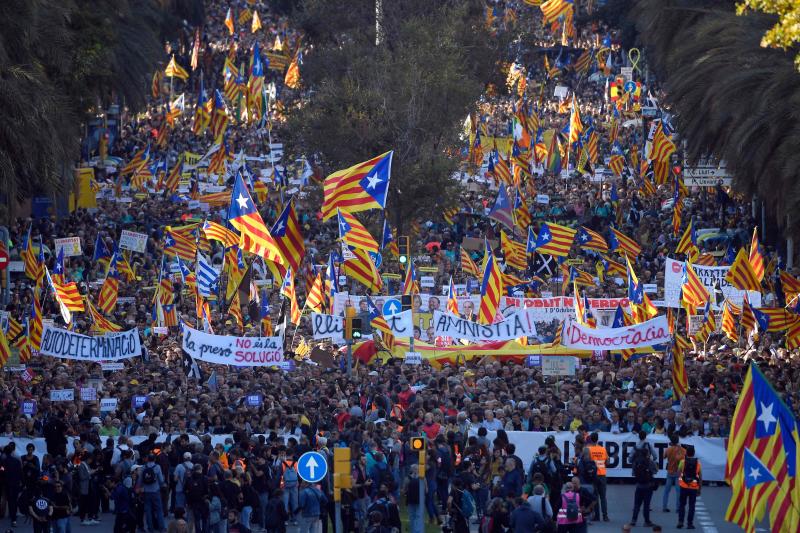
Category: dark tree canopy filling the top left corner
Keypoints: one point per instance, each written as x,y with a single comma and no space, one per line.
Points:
59,60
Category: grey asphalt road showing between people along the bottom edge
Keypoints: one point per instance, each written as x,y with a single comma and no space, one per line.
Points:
710,514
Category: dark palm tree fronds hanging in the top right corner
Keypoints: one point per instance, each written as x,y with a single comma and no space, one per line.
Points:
732,98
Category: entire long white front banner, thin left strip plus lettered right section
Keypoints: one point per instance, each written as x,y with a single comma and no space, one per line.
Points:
710,450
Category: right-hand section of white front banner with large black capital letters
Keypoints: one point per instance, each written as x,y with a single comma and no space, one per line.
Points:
620,448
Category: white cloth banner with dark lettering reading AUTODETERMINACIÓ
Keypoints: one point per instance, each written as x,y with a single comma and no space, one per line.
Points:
57,342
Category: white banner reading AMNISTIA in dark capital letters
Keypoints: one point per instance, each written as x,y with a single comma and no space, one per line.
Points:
514,326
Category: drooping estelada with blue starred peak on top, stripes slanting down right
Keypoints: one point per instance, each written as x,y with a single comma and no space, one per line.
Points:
244,216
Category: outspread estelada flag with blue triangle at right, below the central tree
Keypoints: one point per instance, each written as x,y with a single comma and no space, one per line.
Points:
358,188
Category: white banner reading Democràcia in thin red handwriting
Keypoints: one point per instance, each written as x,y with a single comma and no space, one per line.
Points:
654,331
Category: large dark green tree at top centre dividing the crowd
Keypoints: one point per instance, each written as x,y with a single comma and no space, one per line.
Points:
410,94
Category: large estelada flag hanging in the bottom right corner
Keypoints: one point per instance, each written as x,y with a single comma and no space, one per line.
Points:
765,427
